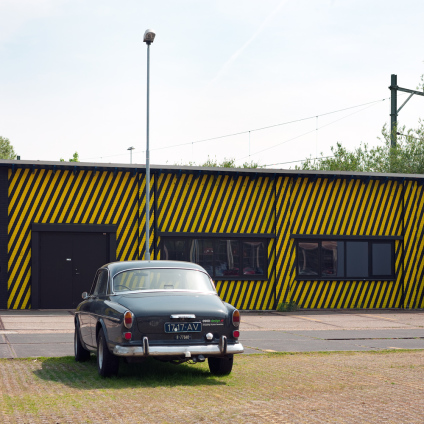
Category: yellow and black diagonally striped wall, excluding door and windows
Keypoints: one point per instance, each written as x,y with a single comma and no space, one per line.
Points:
281,206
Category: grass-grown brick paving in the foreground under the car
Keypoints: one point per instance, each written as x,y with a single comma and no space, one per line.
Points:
302,387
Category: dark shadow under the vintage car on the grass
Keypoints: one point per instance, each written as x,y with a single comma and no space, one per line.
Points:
151,373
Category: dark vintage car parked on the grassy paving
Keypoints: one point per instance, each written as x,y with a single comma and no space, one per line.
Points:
167,310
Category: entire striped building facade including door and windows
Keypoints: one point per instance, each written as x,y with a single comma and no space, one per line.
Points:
319,239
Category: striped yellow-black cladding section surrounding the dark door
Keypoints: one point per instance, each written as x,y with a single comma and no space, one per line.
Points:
65,197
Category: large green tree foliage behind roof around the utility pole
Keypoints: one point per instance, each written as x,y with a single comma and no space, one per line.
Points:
406,158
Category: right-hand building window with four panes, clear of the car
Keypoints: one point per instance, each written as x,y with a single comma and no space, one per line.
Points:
346,259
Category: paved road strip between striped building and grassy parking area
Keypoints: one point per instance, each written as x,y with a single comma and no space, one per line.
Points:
50,333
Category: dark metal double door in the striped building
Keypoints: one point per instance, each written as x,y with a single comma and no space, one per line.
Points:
68,263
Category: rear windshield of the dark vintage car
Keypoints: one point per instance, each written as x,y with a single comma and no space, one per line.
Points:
162,279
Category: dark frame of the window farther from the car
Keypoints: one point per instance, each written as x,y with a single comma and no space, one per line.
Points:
369,240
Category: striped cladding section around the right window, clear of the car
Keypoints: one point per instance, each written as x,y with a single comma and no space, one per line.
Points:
340,207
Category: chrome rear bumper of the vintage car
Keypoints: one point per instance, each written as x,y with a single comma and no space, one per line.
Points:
187,351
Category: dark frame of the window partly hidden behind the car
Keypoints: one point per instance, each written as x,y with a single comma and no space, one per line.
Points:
215,239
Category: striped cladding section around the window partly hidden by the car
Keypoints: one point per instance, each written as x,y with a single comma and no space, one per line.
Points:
204,203
